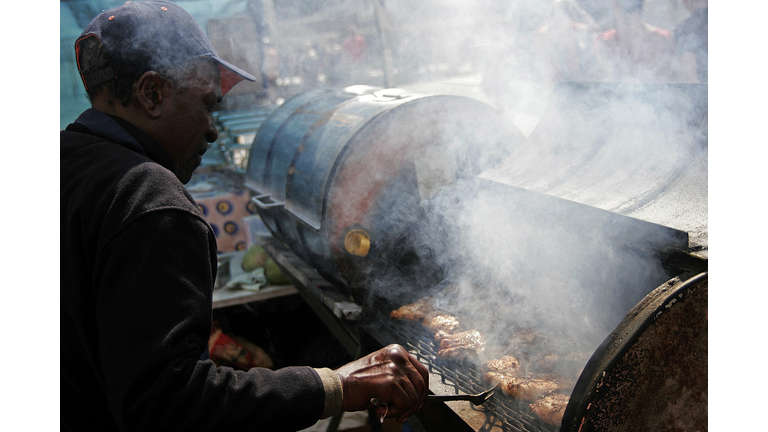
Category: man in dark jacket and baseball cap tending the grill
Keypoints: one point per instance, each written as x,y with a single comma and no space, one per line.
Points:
138,259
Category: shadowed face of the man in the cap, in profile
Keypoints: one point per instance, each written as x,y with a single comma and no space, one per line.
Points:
187,126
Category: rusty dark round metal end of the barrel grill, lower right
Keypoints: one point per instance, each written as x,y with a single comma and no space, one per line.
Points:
651,373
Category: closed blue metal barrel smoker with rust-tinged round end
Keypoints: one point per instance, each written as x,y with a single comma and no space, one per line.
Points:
338,174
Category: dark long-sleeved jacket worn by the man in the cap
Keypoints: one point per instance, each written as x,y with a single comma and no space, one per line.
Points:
138,263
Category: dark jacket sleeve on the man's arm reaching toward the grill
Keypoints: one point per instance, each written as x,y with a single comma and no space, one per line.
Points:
154,280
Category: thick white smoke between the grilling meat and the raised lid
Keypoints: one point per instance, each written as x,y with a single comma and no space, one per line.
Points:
515,261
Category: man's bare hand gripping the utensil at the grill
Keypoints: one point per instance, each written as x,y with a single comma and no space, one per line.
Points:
390,374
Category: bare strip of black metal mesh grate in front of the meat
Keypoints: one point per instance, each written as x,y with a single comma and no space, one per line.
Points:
502,412
